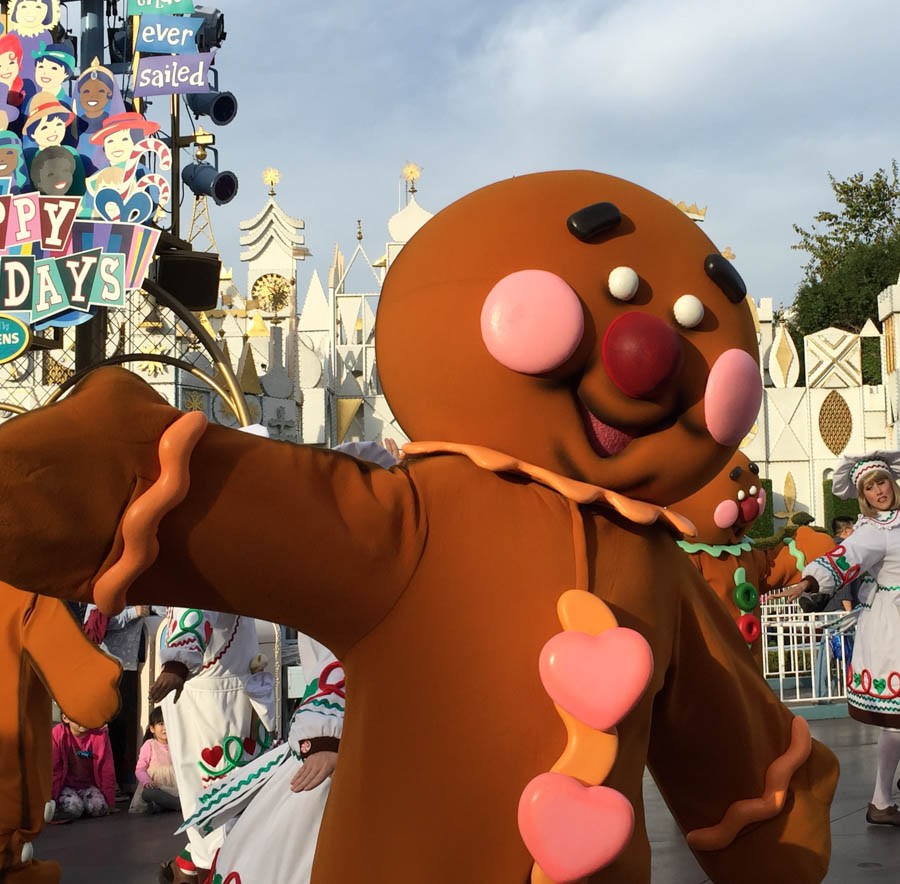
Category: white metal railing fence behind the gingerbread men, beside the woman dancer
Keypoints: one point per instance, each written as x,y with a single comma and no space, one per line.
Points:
805,656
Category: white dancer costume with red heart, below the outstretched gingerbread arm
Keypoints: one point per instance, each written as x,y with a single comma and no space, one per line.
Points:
211,729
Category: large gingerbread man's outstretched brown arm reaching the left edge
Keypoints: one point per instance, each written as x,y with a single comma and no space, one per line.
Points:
355,531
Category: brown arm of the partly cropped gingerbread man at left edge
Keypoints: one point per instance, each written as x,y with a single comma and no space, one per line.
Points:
79,676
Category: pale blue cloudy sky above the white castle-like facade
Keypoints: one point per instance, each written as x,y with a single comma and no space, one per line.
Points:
743,110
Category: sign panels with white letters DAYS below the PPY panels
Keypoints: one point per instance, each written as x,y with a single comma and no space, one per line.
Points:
42,288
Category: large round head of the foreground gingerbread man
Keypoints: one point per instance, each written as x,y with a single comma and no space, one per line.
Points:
578,322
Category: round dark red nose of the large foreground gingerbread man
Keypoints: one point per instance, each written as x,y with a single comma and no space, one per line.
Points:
641,354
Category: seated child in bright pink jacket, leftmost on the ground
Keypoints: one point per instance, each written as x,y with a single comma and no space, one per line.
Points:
84,778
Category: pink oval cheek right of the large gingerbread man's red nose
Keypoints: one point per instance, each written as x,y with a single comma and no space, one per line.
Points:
733,396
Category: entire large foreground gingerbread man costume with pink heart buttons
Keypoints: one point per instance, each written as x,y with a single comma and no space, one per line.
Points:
519,631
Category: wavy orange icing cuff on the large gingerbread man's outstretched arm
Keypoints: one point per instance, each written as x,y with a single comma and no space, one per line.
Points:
141,520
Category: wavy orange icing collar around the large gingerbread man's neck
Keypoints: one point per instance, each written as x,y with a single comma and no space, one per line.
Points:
581,492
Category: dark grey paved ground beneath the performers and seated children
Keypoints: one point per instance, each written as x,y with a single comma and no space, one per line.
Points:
127,849
